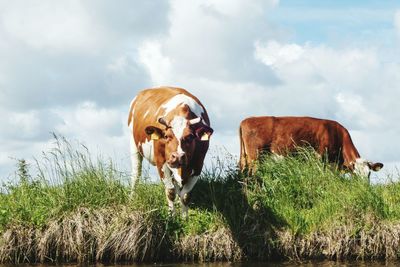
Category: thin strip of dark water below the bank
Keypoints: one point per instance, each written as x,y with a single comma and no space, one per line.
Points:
226,264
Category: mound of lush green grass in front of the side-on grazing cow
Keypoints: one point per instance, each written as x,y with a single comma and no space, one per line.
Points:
308,194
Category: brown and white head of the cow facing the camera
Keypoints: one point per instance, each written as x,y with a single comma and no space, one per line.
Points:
179,138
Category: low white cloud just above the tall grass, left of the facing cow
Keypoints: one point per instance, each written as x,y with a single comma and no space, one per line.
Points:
26,135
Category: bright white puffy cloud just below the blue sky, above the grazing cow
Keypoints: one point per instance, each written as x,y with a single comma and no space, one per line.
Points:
351,67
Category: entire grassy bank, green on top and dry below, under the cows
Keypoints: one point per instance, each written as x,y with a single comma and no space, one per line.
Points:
81,210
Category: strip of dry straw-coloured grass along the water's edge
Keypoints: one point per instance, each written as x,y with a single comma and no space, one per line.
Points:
118,235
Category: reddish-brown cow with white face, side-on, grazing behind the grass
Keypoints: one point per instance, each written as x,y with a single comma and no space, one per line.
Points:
281,135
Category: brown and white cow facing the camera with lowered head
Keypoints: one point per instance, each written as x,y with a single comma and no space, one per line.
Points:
171,129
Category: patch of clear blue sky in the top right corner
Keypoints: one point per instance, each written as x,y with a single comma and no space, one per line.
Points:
337,23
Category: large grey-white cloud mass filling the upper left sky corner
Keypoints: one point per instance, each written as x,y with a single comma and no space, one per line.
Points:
58,53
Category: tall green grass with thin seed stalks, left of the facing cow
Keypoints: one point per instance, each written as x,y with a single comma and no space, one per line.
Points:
66,178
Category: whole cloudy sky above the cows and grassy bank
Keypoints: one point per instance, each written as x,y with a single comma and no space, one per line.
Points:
73,67
